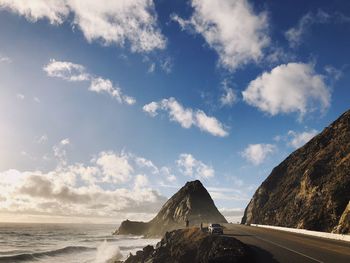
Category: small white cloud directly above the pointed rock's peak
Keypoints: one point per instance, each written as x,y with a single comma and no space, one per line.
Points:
189,166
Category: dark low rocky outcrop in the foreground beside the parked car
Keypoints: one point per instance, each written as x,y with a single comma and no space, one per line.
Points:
193,245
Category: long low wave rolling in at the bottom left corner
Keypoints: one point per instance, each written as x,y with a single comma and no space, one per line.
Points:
38,255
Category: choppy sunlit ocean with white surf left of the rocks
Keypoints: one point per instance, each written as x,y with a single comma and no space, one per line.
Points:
68,243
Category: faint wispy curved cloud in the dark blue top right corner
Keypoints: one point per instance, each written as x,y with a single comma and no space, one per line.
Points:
294,34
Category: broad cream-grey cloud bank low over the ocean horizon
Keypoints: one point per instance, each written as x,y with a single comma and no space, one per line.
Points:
80,189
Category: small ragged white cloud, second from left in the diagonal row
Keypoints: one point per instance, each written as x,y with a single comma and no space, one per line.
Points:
101,85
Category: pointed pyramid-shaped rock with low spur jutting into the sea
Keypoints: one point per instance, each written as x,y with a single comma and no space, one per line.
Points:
192,202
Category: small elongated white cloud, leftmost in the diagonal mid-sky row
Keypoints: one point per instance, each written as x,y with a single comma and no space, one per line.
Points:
66,70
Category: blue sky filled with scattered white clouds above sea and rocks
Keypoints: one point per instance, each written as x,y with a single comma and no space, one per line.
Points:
107,108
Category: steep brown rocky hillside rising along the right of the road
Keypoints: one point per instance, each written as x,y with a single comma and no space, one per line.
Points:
311,188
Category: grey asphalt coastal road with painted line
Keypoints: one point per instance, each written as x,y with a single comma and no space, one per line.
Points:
269,245
